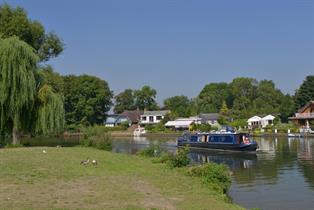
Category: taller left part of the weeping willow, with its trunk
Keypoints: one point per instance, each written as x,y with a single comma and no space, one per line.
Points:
17,84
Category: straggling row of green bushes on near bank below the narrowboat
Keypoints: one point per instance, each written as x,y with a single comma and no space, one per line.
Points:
214,176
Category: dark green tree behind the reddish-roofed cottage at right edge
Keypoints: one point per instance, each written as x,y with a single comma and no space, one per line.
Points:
305,93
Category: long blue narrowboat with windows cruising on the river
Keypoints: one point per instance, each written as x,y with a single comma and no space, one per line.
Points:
218,140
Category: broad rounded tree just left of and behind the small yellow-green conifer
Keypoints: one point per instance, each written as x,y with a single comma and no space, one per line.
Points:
212,97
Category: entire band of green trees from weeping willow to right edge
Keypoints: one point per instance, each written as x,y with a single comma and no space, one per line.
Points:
36,100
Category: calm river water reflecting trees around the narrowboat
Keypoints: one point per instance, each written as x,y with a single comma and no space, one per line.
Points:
279,176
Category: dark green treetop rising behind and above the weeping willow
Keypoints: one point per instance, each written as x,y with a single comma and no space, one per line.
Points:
14,22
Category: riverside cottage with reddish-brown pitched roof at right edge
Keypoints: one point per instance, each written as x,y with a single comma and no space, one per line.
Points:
304,116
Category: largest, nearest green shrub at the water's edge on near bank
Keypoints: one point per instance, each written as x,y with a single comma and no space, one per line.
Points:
216,176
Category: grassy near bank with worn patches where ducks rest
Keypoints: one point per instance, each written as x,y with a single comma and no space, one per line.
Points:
31,179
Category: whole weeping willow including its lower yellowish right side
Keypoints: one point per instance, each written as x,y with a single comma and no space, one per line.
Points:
27,104
